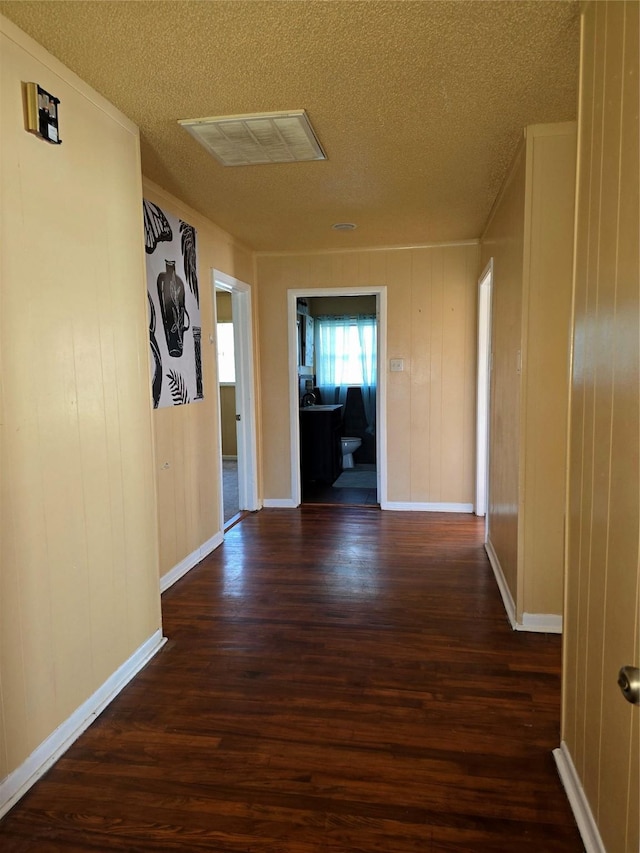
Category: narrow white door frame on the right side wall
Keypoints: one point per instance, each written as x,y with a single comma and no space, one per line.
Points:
483,393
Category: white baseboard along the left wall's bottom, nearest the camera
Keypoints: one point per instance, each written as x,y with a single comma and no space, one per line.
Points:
17,783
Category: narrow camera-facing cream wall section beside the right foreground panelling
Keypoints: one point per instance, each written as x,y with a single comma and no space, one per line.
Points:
548,263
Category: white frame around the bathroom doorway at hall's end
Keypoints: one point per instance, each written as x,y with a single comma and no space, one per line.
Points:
380,292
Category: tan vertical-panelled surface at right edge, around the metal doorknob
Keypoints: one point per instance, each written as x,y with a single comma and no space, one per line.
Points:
600,729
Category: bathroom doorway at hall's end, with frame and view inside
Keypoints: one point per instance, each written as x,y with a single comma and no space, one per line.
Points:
337,344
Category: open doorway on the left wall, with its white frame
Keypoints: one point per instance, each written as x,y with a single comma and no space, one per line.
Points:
237,428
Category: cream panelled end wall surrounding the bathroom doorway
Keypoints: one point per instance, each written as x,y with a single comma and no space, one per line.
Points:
431,324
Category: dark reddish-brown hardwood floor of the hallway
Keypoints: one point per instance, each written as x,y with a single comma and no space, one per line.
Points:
336,681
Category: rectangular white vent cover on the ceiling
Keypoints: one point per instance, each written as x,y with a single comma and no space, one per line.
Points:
247,140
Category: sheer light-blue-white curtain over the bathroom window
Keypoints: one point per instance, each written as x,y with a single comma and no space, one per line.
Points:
346,356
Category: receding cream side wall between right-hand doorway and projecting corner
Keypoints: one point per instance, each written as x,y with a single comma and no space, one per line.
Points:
503,241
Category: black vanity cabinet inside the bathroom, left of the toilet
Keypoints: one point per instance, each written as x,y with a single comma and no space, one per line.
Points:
320,448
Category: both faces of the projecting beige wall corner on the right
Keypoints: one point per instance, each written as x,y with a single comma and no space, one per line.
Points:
530,238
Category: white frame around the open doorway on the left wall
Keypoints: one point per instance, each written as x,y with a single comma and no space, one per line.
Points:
242,316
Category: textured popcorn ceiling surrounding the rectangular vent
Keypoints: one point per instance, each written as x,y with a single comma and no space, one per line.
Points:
419,105
